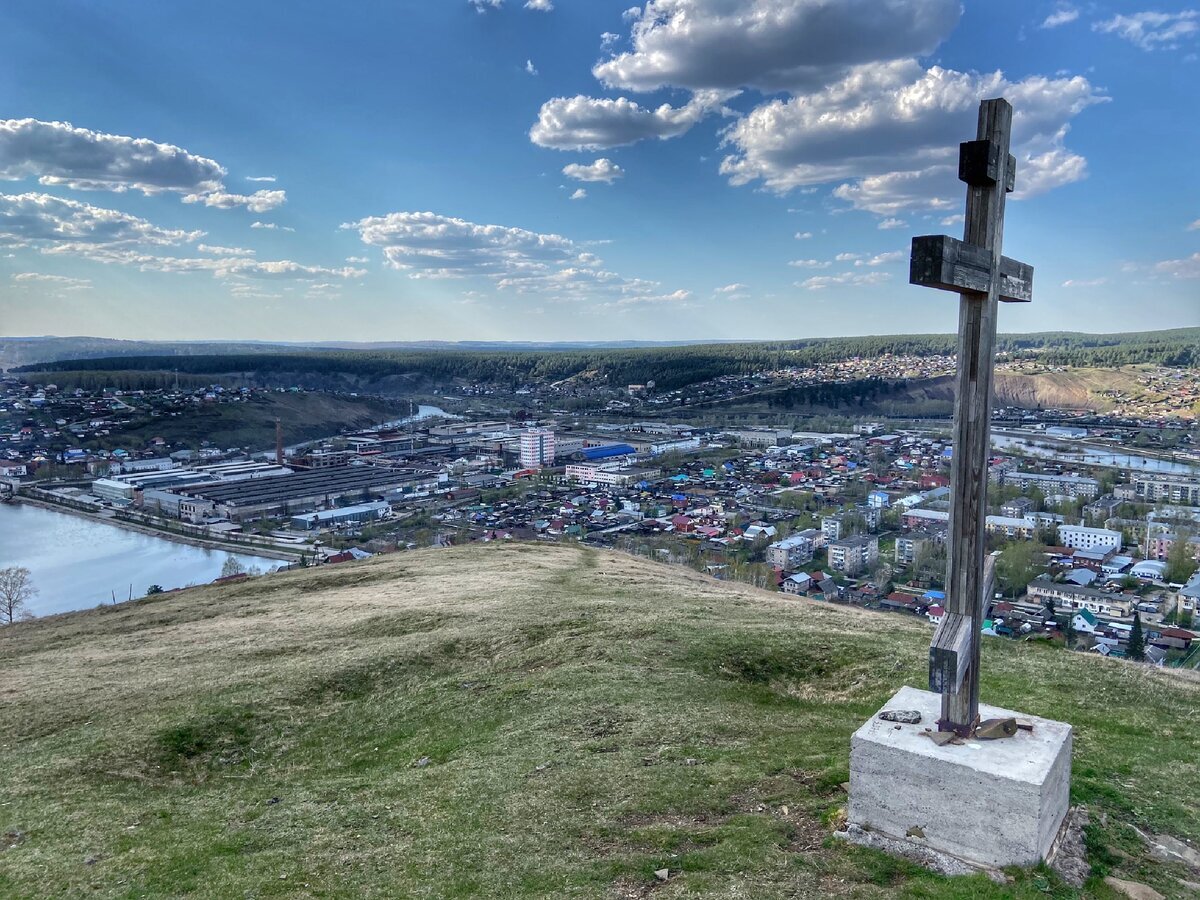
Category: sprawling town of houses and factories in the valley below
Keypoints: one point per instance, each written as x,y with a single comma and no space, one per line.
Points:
1089,555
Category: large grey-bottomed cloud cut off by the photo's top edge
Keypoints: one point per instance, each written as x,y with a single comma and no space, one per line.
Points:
771,44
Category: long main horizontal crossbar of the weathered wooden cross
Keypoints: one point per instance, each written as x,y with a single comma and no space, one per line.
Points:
943,262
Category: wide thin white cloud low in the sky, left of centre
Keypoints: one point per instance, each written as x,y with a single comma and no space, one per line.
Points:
428,245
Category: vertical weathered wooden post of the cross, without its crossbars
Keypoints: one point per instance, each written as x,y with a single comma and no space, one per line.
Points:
973,416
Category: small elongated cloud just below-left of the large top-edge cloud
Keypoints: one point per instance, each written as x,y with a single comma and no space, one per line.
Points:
584,123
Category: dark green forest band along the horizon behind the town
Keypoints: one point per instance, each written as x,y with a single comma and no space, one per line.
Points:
669,368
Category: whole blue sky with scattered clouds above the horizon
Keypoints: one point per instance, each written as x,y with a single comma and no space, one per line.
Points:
580,170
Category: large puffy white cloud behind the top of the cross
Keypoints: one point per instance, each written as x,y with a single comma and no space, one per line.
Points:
901,122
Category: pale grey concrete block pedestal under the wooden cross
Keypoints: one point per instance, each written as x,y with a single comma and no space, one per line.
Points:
992,803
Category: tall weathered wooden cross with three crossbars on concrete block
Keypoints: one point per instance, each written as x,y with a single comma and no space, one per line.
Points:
976,271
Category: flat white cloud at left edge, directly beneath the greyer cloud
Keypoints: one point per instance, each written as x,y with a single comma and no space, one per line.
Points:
43,220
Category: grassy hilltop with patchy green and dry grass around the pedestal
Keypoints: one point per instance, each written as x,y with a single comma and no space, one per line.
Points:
511,722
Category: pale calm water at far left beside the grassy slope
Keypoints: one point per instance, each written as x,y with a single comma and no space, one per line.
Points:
79,563
